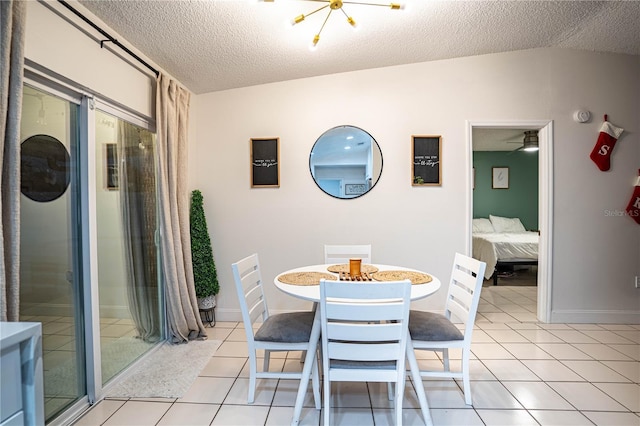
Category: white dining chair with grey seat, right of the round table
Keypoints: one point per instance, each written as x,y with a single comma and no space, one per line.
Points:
438,332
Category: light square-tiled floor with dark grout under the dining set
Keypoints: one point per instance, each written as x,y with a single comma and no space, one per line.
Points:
523,373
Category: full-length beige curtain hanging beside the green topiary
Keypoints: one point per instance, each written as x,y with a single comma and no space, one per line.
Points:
172,120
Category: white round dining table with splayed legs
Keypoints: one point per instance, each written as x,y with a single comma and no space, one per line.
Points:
312,293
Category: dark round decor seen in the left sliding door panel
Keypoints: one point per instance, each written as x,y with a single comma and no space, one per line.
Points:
44,163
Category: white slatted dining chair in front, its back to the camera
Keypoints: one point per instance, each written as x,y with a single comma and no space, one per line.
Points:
364,336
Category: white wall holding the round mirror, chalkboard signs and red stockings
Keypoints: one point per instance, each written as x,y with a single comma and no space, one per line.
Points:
595,256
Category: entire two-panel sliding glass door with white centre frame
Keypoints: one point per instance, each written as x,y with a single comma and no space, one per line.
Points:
89,259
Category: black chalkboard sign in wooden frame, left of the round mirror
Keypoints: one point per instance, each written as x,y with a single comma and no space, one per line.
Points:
265,162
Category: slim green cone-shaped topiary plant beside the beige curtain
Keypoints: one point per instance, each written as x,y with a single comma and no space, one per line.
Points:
204,268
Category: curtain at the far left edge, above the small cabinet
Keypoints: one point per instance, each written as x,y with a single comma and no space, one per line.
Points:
12,33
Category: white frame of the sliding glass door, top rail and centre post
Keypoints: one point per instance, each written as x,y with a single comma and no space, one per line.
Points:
84,218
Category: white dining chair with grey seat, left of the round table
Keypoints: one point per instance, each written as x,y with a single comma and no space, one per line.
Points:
280,332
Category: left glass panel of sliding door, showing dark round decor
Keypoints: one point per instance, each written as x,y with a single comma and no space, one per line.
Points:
51,290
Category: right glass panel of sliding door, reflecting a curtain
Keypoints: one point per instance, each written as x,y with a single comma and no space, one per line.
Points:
130,322
